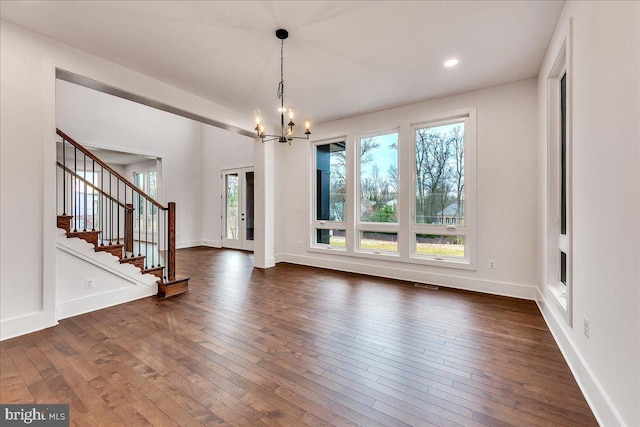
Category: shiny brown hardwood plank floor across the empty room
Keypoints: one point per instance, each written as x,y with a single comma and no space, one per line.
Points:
293,346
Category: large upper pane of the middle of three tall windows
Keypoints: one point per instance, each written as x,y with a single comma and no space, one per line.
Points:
379,178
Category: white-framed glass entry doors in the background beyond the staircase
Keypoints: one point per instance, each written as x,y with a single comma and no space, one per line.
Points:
237,208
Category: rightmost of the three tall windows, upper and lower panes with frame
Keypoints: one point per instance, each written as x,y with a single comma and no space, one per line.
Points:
440,228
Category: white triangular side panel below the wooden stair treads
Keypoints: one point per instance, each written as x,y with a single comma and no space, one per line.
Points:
115,282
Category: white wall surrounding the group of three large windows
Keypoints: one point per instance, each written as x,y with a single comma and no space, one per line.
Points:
506,207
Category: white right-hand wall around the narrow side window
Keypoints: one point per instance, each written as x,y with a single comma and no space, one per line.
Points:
606,206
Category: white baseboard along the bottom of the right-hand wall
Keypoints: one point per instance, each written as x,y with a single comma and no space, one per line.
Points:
602,407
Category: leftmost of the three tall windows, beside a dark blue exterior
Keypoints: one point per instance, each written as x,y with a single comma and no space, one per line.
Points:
331,195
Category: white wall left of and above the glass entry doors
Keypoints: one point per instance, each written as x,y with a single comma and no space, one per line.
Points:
220,150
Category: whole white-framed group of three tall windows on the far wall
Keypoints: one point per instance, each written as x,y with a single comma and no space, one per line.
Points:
403,196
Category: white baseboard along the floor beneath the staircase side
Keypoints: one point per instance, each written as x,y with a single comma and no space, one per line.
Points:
103,300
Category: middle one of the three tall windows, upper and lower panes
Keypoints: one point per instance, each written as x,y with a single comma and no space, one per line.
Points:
378,193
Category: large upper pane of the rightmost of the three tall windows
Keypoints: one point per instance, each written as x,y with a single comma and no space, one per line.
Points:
439,154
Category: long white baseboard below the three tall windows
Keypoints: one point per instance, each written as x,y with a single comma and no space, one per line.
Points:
415,274
